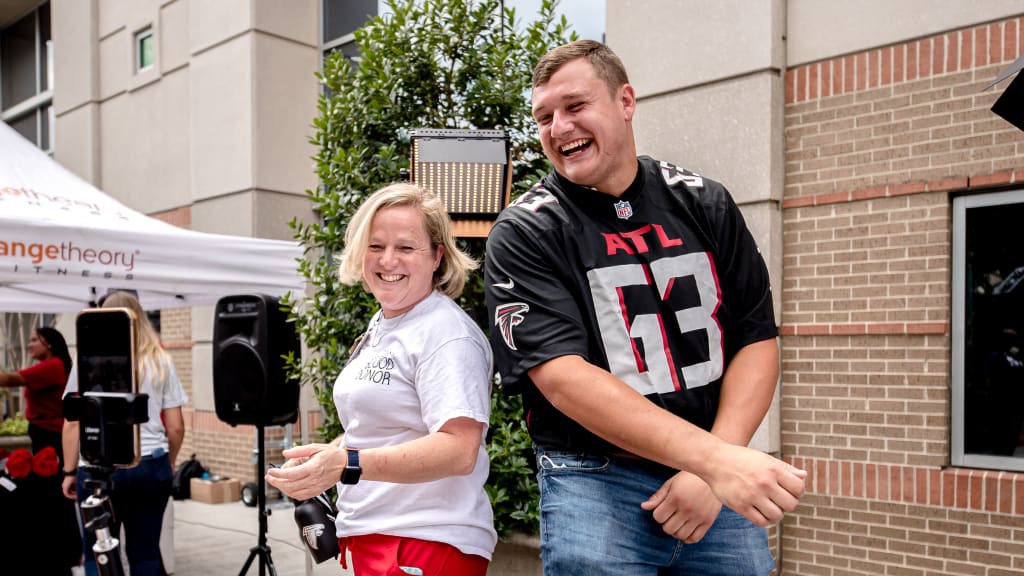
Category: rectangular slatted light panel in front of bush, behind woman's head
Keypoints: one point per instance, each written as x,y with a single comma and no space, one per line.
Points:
472,171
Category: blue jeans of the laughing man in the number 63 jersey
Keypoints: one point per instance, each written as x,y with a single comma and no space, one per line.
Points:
592,524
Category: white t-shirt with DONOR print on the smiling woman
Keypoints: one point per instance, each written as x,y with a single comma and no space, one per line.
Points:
411,376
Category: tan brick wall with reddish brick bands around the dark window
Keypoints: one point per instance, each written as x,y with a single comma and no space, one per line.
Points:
876,144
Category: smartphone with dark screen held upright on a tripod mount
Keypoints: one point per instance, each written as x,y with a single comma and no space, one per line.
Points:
106,351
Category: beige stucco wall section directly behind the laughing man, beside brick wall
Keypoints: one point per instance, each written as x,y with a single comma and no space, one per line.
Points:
708,77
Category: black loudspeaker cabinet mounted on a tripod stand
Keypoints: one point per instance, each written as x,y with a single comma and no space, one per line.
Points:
251,335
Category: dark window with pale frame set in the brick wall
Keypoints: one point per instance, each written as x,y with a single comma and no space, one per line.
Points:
989,332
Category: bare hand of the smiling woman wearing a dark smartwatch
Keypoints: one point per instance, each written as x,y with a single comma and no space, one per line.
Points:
310,471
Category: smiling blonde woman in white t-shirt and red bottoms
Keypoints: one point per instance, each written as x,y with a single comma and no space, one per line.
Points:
414,400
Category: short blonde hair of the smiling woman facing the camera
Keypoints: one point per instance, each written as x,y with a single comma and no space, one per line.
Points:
450,277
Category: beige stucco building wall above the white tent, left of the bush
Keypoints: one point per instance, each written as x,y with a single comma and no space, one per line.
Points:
219,128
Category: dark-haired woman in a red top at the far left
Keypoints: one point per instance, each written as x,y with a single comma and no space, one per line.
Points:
45,385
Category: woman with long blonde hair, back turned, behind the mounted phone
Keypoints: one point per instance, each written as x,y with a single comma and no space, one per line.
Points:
139,495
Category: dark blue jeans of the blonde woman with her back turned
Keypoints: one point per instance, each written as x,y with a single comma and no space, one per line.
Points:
140,498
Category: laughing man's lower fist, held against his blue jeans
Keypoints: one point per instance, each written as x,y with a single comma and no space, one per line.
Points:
686,507
